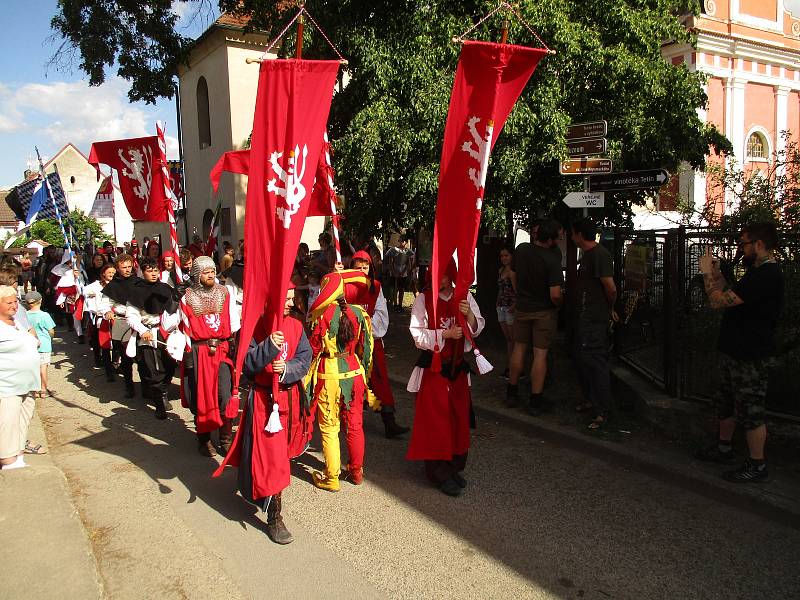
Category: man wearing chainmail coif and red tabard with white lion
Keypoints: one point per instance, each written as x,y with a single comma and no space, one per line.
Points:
210,318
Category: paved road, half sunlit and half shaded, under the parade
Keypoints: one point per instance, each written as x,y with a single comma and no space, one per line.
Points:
541,517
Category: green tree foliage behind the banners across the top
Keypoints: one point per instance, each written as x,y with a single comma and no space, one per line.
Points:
388,122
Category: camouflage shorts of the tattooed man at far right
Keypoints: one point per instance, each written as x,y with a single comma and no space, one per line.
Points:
743,391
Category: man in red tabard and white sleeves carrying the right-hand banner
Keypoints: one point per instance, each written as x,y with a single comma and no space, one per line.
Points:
440,435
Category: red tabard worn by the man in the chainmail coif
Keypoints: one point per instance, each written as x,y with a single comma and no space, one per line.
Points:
207,366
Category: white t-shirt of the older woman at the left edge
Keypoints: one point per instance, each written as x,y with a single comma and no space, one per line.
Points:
19,362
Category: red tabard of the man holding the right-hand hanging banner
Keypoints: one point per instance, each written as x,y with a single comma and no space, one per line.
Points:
441,417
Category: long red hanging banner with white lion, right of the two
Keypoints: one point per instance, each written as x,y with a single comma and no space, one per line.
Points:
489,79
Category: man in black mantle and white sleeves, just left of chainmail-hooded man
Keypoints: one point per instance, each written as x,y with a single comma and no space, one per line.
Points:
152,315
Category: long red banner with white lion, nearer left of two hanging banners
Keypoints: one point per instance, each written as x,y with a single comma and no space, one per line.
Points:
292,106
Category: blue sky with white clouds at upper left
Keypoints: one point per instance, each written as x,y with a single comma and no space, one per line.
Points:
45,107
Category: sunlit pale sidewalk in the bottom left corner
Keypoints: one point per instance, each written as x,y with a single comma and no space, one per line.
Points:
45,551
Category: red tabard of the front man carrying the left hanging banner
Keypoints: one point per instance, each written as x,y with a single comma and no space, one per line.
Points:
269,461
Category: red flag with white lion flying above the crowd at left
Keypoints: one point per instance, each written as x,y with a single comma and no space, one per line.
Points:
138,165
